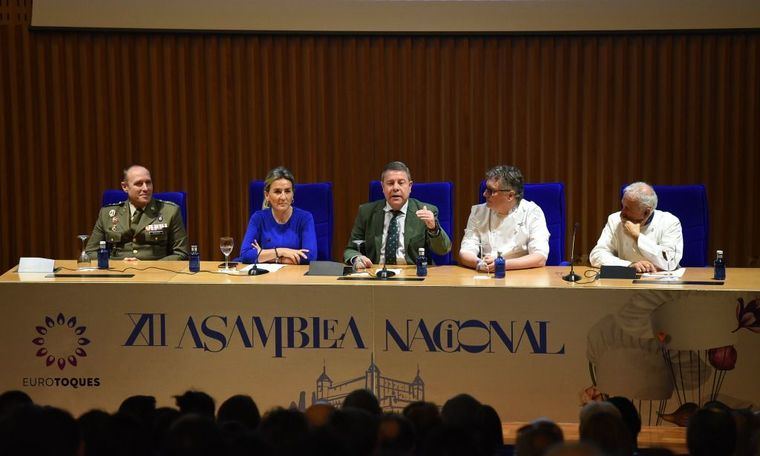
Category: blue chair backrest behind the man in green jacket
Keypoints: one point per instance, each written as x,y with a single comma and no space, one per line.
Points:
440,194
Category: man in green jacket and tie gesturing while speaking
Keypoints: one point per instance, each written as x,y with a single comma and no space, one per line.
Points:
395,228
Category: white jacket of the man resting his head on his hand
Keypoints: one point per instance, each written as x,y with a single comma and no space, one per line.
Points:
660,242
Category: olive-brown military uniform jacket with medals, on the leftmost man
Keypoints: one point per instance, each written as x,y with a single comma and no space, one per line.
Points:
159,234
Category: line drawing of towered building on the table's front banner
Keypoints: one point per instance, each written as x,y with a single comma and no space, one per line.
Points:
392,393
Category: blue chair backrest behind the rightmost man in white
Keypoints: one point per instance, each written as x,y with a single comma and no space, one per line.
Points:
689,204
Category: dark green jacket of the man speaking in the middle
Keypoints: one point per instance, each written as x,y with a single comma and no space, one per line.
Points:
369,227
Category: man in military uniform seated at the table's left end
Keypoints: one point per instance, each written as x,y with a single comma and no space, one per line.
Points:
141,228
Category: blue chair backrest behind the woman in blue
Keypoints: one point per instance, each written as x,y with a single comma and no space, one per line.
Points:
315,198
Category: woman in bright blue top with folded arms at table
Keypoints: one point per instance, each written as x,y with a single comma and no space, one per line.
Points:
279,233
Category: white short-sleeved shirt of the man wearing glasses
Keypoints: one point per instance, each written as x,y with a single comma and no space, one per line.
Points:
521,232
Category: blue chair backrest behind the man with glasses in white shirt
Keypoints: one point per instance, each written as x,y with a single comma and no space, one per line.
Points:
550,197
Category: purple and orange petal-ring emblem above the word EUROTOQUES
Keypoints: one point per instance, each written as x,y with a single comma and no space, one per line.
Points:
61,341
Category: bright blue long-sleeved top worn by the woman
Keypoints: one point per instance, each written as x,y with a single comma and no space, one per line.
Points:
296,233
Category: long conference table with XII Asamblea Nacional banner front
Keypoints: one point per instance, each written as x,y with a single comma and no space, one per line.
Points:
530,345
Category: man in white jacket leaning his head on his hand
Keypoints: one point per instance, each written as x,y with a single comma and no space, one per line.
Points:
639,235
